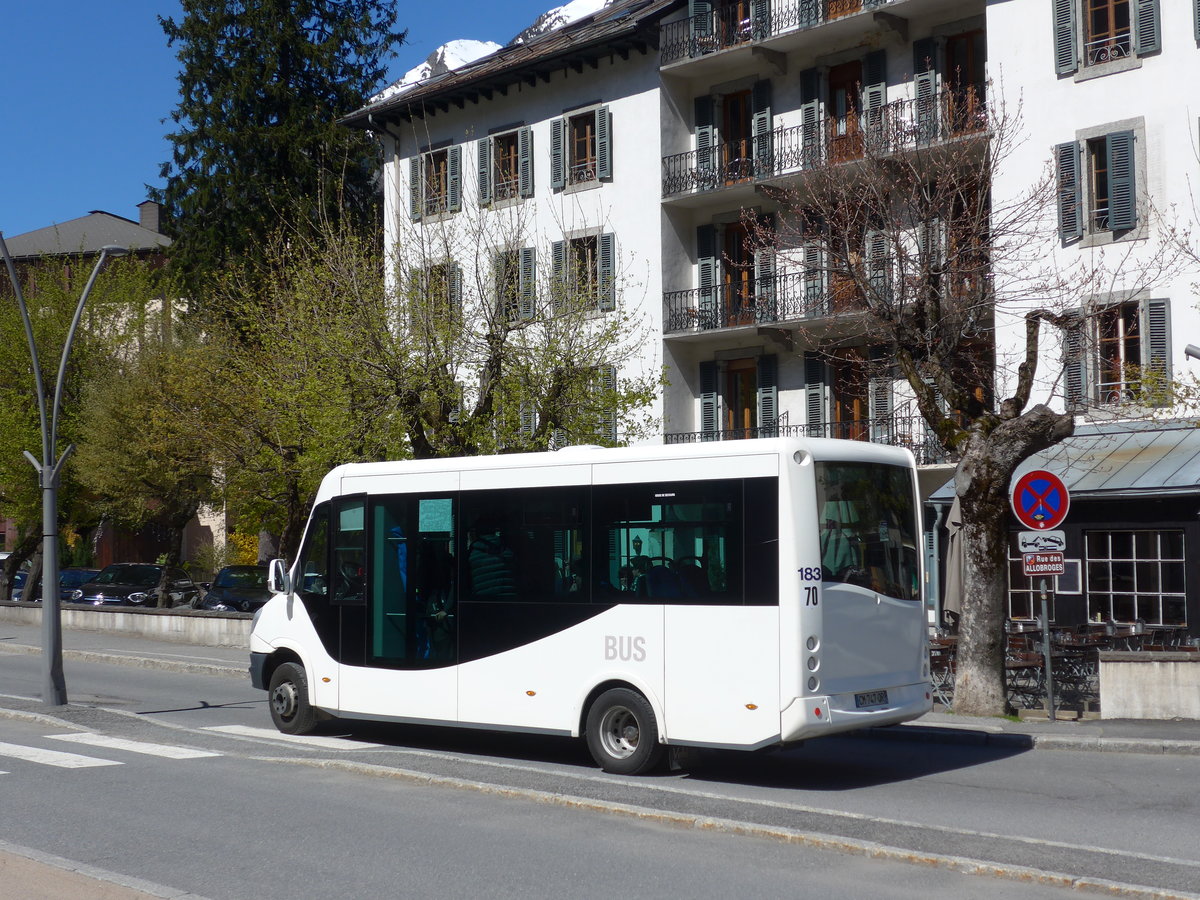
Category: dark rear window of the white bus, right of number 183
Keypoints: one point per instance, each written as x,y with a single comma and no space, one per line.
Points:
868,524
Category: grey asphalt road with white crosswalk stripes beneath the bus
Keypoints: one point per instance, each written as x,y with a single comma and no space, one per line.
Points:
435,813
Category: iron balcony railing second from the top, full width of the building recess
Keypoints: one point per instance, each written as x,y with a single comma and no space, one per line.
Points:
891,129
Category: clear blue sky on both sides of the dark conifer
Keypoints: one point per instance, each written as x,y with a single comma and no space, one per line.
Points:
88,86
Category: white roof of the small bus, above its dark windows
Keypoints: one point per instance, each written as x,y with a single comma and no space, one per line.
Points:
574,465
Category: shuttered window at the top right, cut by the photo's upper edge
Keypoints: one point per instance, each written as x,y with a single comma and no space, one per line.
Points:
1095,34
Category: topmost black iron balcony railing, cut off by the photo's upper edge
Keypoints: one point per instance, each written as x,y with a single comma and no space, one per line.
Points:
739,23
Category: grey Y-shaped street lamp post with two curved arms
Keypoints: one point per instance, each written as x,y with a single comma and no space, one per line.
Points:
55,688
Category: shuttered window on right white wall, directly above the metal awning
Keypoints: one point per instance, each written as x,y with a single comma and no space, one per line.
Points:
1120,355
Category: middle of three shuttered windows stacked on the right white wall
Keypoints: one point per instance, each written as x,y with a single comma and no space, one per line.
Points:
1097,185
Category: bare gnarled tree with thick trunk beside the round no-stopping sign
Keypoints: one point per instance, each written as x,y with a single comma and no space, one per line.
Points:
895,232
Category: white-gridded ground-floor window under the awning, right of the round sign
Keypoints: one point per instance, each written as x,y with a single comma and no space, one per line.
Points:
1136,575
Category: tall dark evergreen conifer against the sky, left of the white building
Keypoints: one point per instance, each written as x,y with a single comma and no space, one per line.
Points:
256,140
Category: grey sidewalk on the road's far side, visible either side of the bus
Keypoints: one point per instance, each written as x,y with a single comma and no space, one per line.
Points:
1141,736
